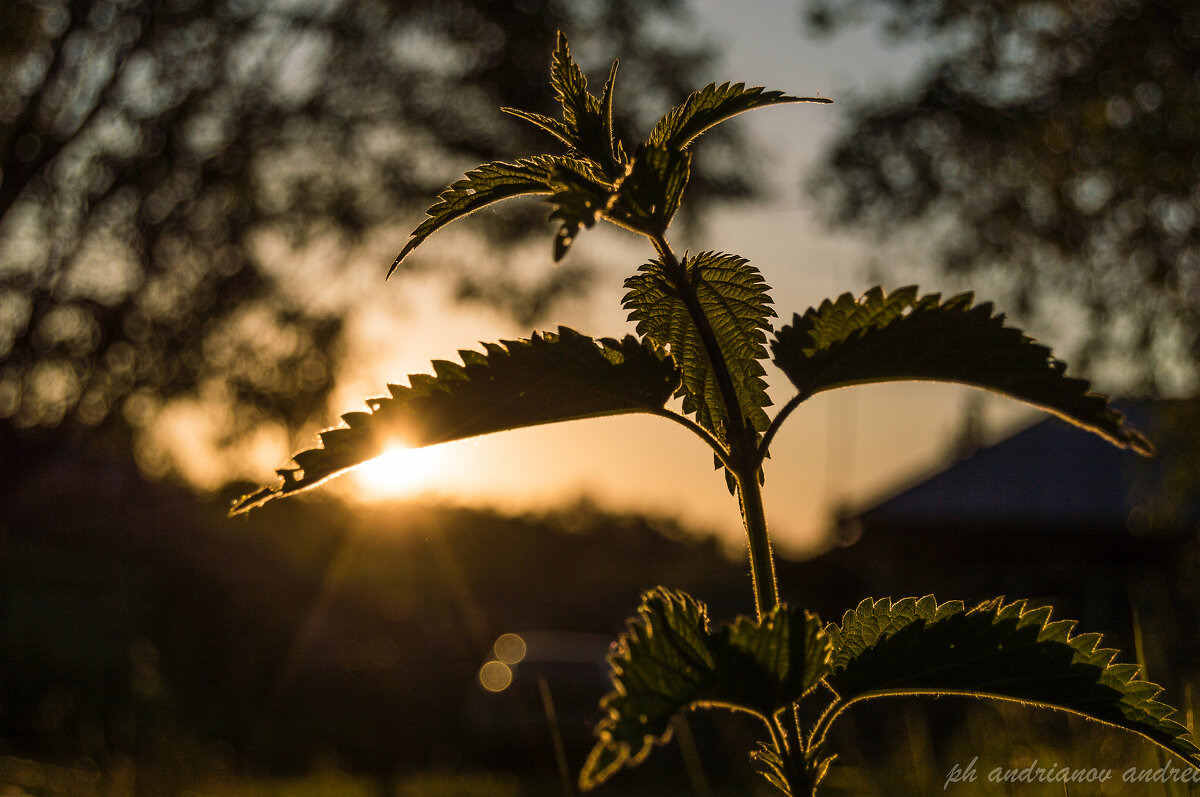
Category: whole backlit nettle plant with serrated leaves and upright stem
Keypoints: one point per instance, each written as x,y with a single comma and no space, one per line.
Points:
703,334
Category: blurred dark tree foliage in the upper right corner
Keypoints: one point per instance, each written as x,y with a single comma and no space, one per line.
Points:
1051,145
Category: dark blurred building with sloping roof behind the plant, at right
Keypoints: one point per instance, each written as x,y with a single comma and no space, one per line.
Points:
1052,514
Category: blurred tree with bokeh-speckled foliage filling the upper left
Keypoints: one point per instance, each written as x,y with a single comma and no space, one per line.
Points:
148,148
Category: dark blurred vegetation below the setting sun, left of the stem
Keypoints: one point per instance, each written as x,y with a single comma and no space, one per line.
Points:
142,628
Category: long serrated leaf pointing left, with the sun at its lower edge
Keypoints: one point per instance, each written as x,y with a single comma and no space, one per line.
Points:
550,377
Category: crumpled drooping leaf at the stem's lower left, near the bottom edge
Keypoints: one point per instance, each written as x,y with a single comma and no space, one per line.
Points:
670,662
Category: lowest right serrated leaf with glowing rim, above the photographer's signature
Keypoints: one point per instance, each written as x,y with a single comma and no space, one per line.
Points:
997,650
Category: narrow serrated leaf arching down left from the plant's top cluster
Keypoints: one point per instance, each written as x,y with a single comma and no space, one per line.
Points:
479,188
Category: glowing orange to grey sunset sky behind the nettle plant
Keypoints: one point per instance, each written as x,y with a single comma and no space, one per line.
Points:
842,448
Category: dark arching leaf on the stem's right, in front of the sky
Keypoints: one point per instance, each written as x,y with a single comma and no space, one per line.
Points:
884,338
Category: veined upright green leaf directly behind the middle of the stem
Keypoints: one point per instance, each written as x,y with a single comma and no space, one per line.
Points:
737,304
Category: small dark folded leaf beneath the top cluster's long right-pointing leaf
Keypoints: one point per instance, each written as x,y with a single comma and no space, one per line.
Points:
649,197
